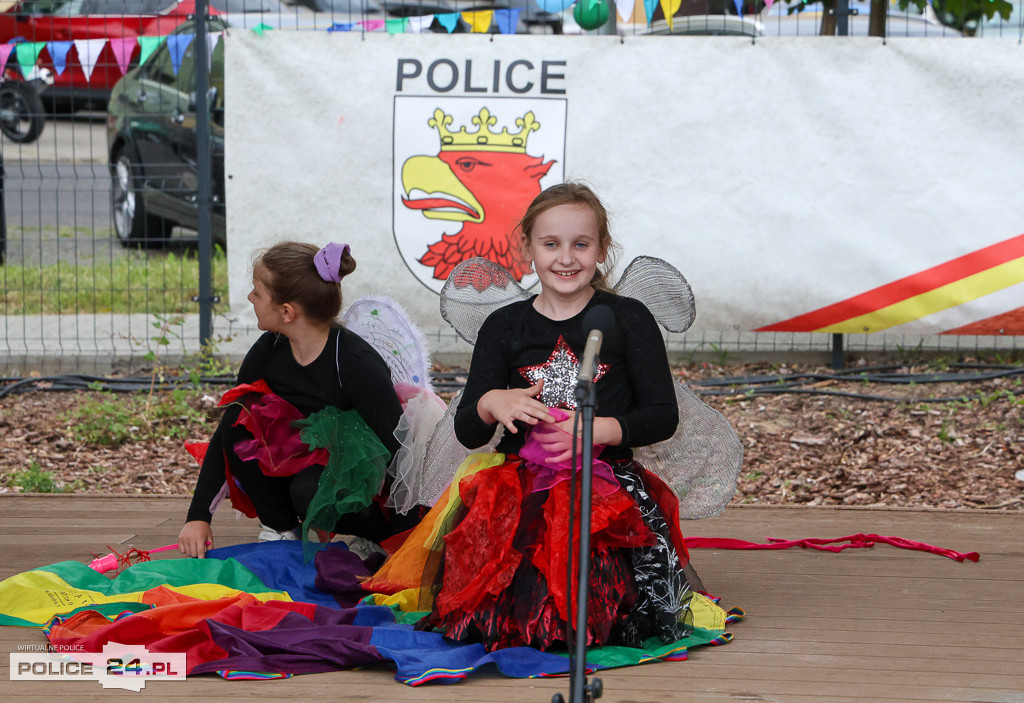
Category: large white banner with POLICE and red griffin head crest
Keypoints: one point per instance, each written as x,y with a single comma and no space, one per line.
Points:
833,186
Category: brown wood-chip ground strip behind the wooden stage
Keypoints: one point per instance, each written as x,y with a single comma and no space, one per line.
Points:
935,436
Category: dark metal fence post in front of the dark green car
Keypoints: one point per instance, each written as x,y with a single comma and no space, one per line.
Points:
203,197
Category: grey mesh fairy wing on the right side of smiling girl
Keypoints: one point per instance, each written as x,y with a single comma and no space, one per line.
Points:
702,461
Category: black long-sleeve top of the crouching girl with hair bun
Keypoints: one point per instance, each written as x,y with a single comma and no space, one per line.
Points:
348,375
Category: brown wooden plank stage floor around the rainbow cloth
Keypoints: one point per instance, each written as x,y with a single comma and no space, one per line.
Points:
864,626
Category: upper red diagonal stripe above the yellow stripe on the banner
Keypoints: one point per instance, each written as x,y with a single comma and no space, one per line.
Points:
899,291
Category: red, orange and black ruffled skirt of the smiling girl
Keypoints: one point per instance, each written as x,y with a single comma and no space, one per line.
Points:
491,561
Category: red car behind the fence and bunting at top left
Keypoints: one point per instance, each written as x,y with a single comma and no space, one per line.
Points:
84,72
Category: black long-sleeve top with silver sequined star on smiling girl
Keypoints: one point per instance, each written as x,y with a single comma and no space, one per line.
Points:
636,388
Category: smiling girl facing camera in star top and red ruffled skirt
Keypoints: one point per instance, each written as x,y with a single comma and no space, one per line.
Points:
494,569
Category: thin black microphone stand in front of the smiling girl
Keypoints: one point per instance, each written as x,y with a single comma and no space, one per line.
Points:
580,690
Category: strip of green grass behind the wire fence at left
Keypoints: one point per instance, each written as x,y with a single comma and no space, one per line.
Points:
135,283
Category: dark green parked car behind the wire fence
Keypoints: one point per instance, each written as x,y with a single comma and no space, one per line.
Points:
152,146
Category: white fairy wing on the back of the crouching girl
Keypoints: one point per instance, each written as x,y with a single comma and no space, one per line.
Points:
387,326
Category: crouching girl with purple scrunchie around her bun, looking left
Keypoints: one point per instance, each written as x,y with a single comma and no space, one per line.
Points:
309,432
